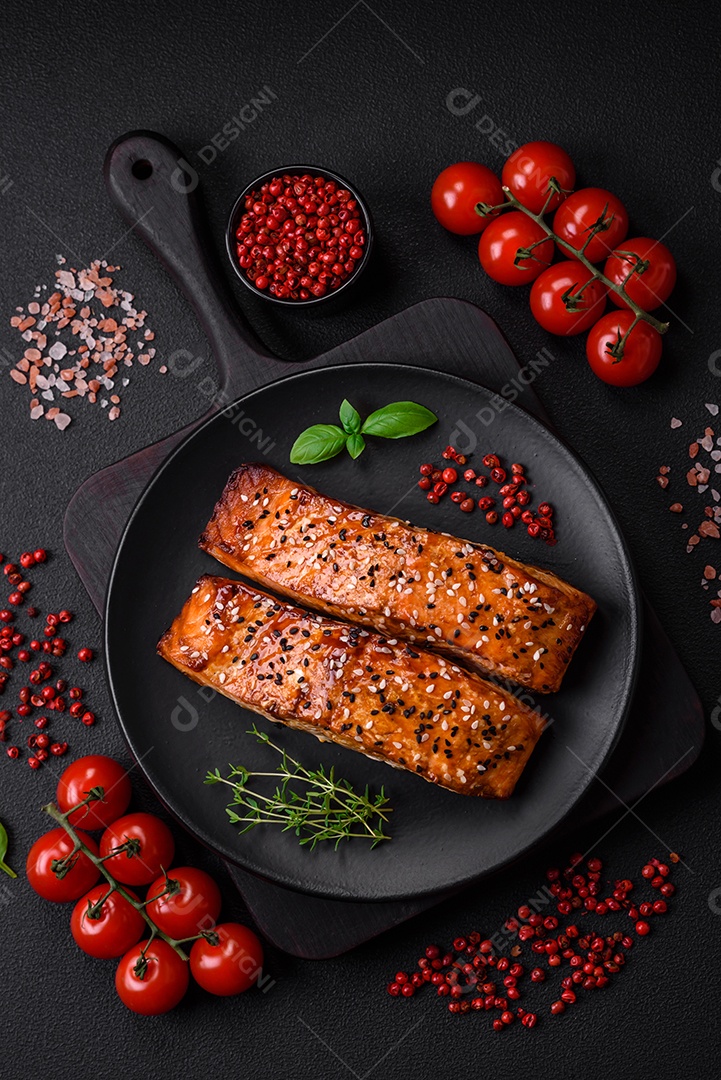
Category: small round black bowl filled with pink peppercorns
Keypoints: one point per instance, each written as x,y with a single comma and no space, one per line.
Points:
300,236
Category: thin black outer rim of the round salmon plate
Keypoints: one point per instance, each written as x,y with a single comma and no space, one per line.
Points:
174,806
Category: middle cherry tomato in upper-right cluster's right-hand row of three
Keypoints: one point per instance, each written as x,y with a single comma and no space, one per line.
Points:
577,217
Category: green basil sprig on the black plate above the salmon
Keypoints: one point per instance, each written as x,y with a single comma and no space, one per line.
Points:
323,441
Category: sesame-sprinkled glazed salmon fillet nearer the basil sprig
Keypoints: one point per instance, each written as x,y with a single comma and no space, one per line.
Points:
462,599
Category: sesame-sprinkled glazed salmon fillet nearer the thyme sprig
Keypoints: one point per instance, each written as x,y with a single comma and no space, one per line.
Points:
403,706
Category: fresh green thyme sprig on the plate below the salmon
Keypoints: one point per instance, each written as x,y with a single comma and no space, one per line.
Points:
325,808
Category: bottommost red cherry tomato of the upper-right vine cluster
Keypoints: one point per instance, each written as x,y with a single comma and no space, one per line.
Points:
641,356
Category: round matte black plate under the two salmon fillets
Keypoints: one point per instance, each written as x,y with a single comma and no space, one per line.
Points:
179,732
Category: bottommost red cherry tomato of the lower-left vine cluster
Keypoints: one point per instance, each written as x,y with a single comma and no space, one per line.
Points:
164,984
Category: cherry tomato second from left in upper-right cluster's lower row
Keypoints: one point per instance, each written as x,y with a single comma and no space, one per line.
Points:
499,247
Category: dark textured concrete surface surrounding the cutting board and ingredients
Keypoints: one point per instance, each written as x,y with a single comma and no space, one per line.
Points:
633,96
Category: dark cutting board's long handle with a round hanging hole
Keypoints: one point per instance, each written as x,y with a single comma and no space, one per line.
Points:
156,191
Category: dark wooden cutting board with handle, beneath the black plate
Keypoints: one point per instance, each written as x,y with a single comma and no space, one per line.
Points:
665,731
